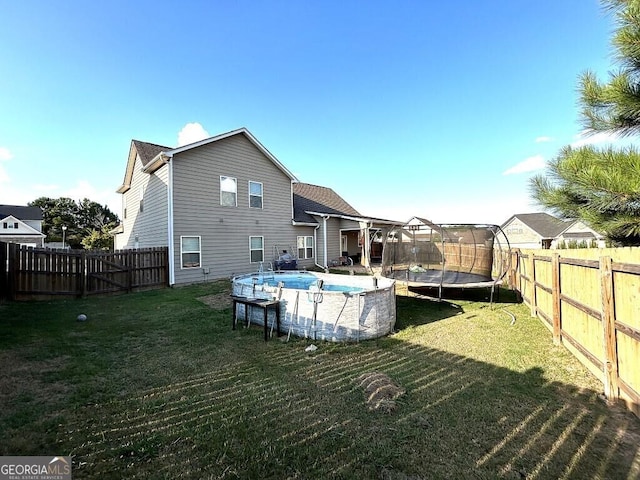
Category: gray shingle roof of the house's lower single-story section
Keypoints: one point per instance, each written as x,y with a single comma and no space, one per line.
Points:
313,198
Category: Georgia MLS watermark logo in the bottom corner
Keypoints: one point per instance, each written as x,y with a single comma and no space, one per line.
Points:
35,468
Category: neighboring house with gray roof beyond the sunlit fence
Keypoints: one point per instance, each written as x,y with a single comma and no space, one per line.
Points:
541,230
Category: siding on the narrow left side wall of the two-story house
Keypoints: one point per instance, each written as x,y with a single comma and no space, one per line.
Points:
150,225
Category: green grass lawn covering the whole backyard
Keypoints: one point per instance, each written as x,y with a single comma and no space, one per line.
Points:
157,385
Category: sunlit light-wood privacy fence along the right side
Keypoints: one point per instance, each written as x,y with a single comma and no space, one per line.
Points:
592,307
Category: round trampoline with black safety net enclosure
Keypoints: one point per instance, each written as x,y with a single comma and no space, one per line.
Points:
446,256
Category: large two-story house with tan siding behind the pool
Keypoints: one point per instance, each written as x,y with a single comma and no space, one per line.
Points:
225,206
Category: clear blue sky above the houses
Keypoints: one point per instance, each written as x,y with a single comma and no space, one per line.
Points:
437,109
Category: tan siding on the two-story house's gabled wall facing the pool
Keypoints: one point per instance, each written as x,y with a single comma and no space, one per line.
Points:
225,231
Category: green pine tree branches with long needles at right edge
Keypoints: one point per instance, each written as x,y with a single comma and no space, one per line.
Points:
602,185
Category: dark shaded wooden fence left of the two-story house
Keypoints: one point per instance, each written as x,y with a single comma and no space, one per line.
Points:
40,273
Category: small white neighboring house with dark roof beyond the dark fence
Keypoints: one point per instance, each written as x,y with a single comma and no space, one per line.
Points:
20,224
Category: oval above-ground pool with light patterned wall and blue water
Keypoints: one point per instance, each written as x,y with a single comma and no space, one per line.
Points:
323,306
